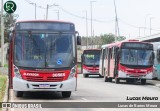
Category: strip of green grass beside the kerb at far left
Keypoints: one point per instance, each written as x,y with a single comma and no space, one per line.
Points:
3,79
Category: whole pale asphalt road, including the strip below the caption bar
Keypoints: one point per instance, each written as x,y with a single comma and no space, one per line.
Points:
94,89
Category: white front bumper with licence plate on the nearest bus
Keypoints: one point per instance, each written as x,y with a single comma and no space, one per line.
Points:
23,85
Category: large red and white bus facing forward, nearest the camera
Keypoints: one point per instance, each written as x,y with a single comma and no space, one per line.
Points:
43,57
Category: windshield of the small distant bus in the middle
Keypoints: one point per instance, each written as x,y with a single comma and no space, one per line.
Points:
91,58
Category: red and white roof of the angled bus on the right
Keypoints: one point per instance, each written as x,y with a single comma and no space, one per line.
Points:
119,43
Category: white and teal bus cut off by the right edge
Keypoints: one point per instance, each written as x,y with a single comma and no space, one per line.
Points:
156,72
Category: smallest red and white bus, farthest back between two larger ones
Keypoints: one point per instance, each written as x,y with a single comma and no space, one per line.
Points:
90,62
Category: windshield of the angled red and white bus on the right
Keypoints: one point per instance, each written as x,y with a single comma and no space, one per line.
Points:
136,57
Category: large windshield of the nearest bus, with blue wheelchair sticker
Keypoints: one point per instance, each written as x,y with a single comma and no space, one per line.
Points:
44,50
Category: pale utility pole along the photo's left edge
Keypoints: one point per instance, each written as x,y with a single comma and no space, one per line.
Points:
2,36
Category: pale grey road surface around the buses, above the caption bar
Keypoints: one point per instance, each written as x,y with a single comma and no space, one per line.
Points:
94,88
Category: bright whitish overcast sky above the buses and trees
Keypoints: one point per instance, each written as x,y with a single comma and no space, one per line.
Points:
133,15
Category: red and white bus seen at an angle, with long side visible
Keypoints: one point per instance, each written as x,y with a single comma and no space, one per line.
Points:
127,60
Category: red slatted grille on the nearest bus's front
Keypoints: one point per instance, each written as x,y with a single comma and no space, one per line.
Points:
44,79
